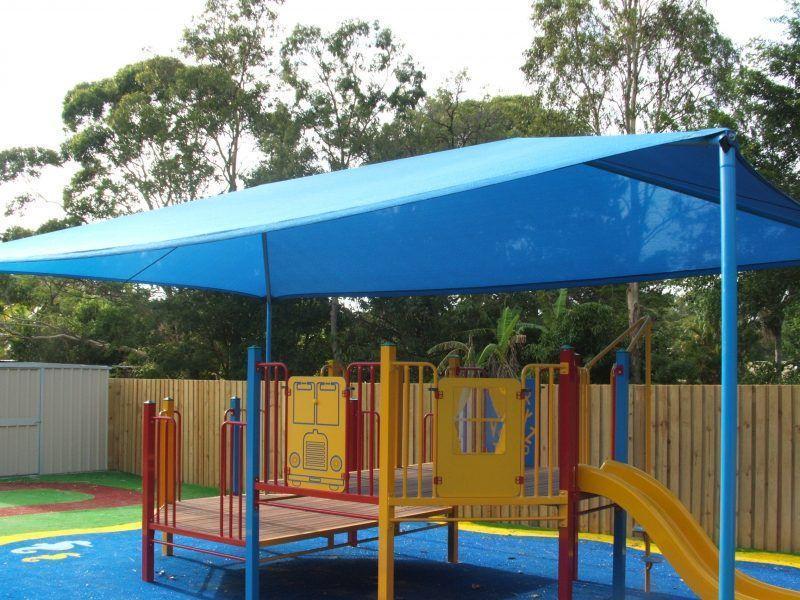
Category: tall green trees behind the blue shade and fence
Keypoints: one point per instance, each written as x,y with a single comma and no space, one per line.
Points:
241,104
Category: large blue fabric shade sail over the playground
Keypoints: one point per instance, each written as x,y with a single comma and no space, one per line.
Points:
517,214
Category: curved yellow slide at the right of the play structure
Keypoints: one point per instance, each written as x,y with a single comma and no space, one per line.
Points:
671,526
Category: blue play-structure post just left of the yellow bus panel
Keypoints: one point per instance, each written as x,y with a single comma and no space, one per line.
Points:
251,472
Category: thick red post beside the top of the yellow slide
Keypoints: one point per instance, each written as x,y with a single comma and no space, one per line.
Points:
568,417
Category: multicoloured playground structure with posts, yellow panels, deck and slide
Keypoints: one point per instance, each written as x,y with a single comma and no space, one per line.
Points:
457,440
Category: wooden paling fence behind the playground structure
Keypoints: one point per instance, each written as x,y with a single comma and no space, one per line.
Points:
684,428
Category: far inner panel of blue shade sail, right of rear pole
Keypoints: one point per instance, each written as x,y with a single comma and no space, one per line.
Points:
574,226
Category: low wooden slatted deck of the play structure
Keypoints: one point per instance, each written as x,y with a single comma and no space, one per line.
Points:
281,518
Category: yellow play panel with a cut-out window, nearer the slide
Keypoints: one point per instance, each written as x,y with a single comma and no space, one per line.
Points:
479,445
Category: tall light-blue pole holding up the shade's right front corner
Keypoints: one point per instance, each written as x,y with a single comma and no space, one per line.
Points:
728,419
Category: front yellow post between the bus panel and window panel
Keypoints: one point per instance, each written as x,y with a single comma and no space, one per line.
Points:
386,459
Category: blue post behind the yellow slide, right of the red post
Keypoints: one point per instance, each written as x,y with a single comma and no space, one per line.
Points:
622,377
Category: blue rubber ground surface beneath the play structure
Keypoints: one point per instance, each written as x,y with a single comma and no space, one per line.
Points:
493,566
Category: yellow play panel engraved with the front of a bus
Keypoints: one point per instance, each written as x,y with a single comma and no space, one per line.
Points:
315,436
